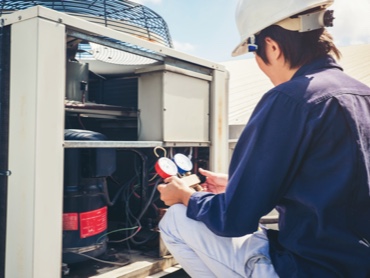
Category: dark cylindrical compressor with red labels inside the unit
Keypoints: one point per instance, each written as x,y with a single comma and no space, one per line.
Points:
85,201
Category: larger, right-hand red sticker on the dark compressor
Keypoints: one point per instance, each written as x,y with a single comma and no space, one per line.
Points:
93,222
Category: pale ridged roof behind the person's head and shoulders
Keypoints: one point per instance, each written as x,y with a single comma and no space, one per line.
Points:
248,83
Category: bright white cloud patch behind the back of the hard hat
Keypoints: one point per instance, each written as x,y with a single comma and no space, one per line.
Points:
352,23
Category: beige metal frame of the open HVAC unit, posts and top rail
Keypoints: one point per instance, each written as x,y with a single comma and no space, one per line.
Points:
36,126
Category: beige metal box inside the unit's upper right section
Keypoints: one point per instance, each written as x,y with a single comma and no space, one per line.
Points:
174,105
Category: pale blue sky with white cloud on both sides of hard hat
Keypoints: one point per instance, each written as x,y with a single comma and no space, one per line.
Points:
207,28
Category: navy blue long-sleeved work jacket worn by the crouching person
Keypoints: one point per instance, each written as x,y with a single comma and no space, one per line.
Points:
306,152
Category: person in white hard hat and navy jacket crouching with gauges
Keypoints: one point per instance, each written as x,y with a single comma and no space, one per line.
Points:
305,151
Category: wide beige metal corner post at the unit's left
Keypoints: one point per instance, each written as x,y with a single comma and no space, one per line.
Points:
35,188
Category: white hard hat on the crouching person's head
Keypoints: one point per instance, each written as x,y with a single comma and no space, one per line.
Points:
252,16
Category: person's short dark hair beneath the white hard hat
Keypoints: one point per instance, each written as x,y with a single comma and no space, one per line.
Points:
298,48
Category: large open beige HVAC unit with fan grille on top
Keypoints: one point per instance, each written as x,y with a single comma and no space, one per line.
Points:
92,95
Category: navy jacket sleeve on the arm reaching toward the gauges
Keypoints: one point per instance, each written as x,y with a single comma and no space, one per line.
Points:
264,162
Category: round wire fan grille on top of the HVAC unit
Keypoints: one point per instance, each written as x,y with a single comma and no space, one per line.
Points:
124,16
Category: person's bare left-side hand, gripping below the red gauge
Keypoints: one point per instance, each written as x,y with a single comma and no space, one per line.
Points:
174,191
